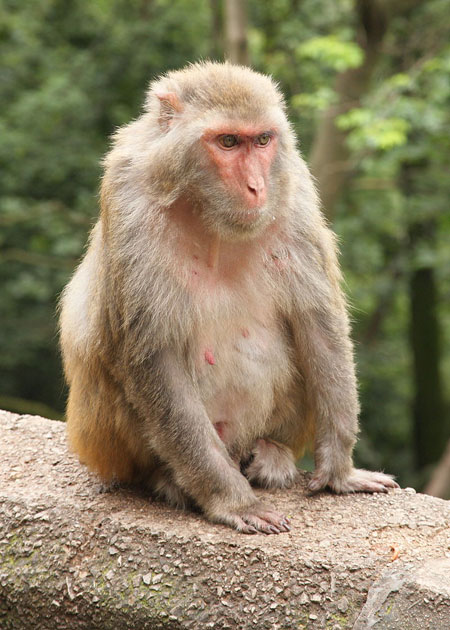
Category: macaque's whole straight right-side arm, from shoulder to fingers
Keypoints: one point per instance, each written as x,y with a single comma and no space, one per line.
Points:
324,352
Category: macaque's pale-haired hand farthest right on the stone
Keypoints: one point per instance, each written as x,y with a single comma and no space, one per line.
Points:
358,480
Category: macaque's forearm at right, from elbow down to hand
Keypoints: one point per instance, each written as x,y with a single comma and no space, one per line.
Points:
326,362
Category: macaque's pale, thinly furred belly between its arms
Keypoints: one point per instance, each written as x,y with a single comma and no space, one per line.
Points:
240,377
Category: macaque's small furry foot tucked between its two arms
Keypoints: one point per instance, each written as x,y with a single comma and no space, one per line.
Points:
273,465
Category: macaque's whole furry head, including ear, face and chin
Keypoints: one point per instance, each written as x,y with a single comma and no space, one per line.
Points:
222,140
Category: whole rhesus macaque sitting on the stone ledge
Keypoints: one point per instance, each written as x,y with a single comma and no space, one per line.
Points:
205,335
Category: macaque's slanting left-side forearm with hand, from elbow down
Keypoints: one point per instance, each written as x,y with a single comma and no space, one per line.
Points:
178,429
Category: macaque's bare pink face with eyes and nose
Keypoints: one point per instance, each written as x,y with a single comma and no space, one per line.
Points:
243,157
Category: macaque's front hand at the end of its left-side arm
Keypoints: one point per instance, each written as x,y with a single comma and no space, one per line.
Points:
256,518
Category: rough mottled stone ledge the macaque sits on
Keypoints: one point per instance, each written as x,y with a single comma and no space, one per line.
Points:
74,557
